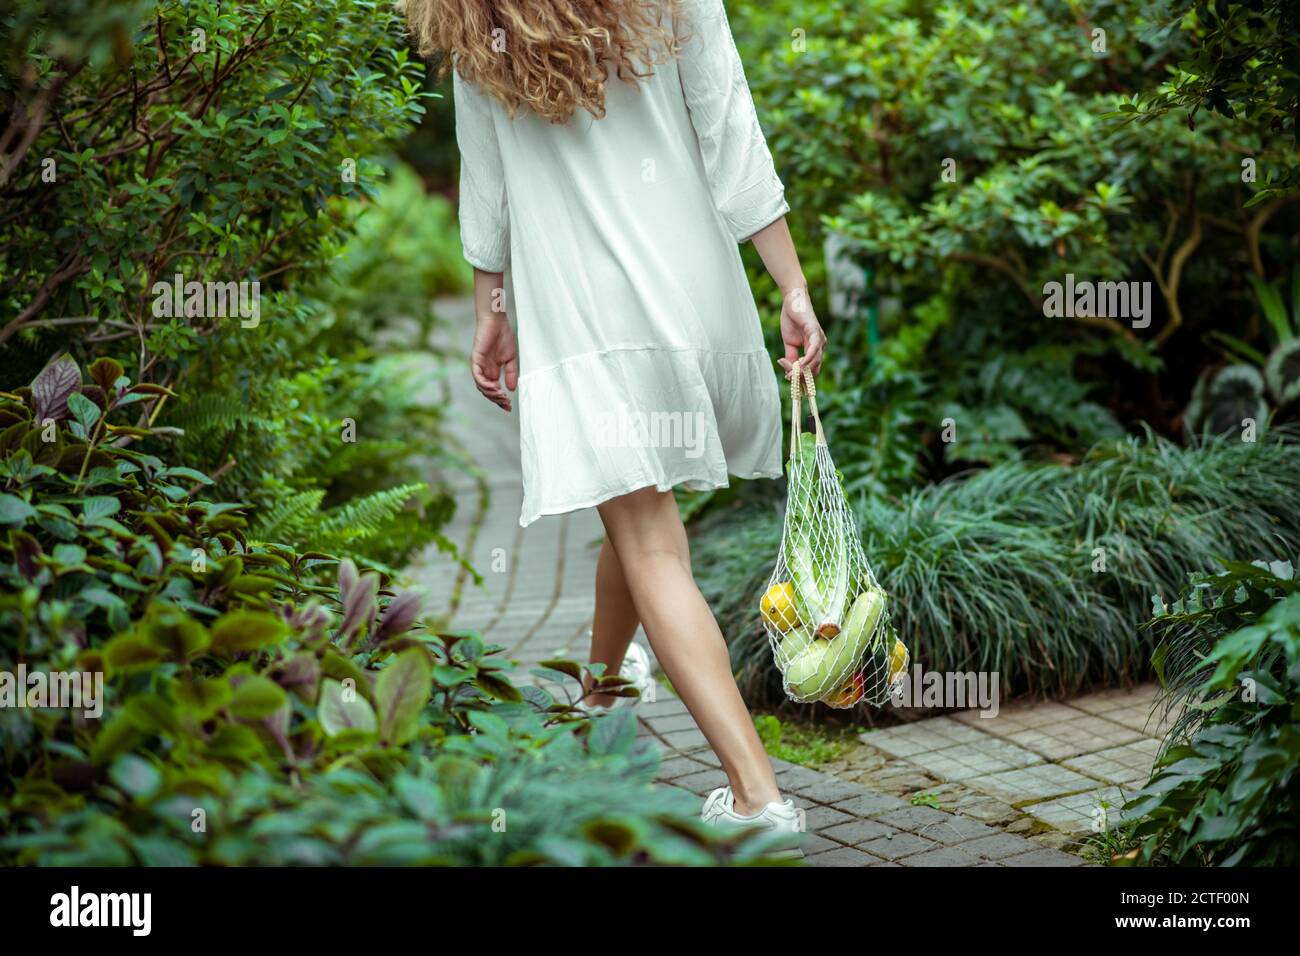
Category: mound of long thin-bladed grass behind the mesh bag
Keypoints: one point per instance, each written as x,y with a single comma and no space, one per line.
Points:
1002,572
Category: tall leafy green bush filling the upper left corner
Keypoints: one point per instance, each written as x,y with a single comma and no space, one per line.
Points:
231,144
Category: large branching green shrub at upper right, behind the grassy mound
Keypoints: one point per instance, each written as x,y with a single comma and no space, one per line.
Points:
970,154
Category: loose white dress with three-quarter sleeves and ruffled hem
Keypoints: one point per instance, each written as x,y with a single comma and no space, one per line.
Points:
642,356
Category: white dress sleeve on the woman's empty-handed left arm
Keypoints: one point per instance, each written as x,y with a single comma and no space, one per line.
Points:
484,214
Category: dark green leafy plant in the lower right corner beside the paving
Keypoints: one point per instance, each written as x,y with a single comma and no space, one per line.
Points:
1224,790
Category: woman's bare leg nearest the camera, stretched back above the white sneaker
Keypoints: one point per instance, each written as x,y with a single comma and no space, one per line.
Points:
652,547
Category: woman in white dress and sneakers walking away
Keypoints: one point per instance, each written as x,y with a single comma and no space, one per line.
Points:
612,161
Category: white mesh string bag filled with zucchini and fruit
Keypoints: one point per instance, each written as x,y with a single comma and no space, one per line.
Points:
826,616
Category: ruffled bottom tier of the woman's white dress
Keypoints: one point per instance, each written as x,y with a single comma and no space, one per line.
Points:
603,425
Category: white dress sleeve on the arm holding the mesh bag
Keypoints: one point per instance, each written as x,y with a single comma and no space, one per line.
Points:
742,176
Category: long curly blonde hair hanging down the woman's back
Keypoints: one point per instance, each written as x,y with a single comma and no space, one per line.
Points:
547,57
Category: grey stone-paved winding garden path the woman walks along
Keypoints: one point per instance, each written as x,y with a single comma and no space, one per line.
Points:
536,600
